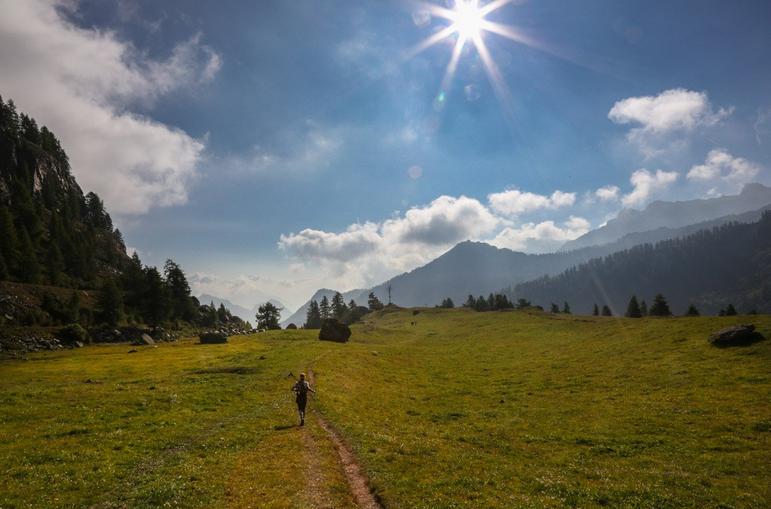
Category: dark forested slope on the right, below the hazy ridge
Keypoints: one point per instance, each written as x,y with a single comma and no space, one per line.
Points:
709,269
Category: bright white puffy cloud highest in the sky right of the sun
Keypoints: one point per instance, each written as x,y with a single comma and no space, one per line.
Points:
676,109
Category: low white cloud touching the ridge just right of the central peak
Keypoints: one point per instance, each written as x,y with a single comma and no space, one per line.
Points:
542,237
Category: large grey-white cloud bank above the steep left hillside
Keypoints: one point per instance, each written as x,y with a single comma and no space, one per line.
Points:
82,84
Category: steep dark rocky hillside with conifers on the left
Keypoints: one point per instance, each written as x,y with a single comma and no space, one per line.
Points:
58,243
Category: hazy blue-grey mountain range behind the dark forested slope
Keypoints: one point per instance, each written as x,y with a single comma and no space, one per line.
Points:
477,268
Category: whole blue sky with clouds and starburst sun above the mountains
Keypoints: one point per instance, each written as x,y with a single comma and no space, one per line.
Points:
282,146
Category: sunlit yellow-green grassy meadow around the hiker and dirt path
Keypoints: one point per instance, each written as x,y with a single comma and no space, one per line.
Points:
459,410
